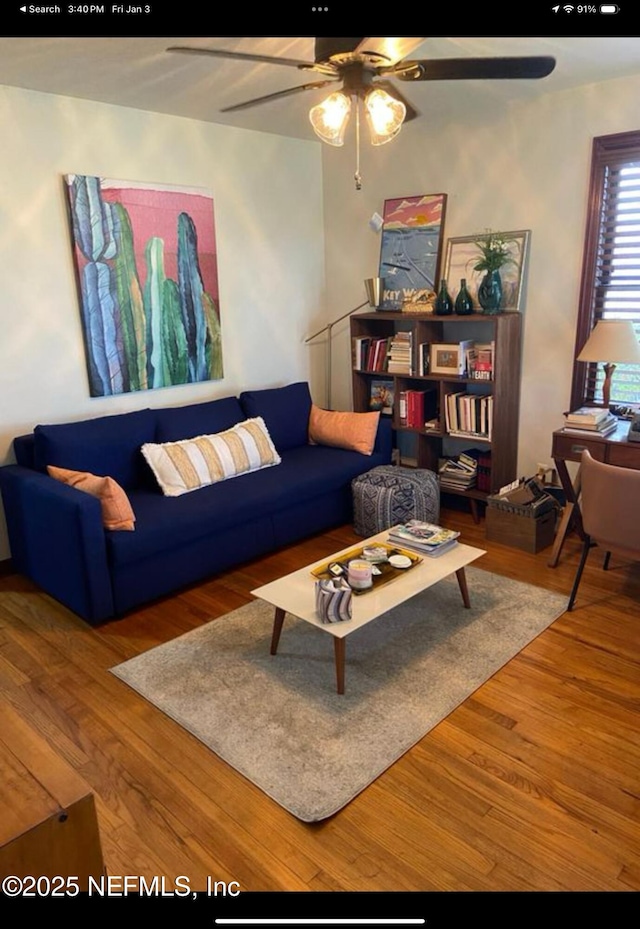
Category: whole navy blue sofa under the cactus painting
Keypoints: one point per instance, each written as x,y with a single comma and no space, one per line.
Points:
56,534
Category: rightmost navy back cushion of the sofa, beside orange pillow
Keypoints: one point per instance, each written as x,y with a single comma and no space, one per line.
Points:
285,411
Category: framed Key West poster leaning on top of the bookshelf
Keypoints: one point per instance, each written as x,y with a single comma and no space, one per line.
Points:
411,250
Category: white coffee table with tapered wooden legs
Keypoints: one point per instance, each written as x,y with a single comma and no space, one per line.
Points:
295,593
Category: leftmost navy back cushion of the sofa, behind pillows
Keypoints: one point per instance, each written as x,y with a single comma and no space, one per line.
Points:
107,446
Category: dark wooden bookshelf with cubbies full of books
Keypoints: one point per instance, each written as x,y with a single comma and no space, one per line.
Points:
504,331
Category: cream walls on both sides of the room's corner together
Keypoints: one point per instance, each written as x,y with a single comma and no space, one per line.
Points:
523,166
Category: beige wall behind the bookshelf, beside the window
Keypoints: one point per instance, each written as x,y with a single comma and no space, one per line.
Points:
520,167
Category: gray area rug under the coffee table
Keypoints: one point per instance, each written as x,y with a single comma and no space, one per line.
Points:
278,719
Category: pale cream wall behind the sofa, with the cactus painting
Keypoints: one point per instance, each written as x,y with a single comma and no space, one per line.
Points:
268,211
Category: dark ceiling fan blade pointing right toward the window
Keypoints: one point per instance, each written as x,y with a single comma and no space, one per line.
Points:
454,69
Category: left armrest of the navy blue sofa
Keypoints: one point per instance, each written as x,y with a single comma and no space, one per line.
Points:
57,540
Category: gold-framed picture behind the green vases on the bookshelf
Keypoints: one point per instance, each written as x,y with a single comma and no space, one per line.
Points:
461,255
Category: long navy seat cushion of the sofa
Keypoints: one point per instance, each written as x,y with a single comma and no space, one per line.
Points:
163,523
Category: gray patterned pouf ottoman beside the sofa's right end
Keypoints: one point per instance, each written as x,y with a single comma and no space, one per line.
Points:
390,494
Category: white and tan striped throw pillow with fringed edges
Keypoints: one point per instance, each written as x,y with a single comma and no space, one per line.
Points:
181,467
